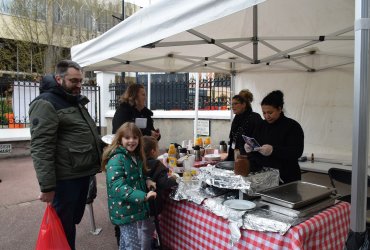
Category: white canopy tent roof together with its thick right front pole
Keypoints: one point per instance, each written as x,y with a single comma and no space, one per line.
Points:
244,36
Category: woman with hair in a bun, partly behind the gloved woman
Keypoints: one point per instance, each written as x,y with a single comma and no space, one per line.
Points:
244,122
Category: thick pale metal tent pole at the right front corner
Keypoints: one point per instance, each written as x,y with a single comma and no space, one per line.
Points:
361,118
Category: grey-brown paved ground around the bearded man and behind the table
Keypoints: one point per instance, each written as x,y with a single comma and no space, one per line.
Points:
21,212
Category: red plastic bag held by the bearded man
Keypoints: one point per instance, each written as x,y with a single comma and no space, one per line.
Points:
51,234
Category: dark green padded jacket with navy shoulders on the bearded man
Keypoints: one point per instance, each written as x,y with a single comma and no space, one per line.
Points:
65,143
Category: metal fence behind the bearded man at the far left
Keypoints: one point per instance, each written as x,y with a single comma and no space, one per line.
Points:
15,97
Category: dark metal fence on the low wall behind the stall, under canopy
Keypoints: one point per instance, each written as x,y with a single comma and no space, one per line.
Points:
176,92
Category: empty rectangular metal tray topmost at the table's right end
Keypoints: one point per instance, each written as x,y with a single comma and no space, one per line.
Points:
296,194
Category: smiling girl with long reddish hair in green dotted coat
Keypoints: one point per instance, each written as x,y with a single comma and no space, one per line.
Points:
124,163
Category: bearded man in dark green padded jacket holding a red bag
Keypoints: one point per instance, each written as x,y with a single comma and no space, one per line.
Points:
65,144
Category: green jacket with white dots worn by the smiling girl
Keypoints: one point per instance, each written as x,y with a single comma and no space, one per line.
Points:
126,188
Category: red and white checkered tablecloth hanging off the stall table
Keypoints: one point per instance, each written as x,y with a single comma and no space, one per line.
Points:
185,225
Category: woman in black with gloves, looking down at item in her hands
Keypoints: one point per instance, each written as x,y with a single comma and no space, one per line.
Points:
282,140
